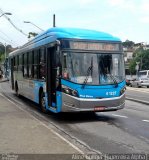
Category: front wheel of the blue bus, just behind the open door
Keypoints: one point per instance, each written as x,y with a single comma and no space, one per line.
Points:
42,102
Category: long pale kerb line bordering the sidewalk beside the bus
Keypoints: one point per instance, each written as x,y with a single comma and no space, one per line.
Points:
72,145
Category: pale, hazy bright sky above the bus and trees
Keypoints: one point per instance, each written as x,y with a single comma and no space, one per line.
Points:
126,19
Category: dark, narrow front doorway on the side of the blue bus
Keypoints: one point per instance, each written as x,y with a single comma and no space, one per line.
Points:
51,76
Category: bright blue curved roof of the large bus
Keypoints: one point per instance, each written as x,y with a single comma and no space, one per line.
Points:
69,33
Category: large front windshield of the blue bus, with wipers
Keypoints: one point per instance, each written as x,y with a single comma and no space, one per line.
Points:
93,68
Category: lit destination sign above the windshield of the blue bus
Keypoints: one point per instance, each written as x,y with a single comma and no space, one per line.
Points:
95,46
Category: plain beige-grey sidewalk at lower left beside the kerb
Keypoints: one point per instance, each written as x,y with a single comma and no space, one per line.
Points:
21,133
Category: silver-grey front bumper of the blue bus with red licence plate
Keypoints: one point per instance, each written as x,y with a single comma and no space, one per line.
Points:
70,103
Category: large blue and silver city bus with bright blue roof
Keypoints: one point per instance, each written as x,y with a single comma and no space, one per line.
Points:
69,69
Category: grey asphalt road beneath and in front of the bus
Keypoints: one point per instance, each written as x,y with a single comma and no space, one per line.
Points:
124,131
